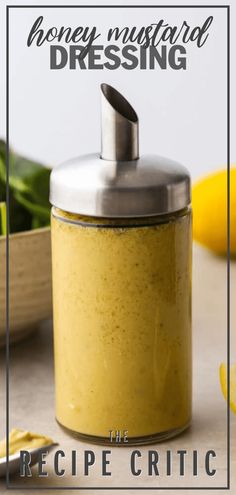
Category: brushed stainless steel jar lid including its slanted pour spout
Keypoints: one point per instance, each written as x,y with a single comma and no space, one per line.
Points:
119,183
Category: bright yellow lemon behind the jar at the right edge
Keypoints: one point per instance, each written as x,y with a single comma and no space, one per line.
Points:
209,202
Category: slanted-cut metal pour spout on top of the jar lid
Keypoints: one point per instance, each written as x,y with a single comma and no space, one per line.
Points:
119,127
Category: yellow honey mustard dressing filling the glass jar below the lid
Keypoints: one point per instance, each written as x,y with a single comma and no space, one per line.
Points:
122,324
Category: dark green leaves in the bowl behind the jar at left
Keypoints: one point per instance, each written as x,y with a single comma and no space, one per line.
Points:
28,192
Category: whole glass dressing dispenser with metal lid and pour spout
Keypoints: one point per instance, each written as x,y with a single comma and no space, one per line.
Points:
121,256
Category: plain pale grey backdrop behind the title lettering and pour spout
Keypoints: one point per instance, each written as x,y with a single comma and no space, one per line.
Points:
55,115
